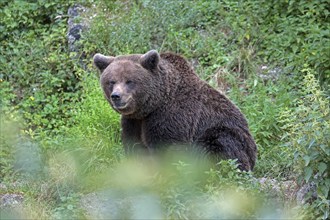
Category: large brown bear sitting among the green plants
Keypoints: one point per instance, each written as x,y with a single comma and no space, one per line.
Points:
163,103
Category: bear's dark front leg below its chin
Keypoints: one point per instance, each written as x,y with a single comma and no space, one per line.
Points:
131,137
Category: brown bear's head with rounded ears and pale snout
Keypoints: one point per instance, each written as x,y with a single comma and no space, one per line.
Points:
131,83
